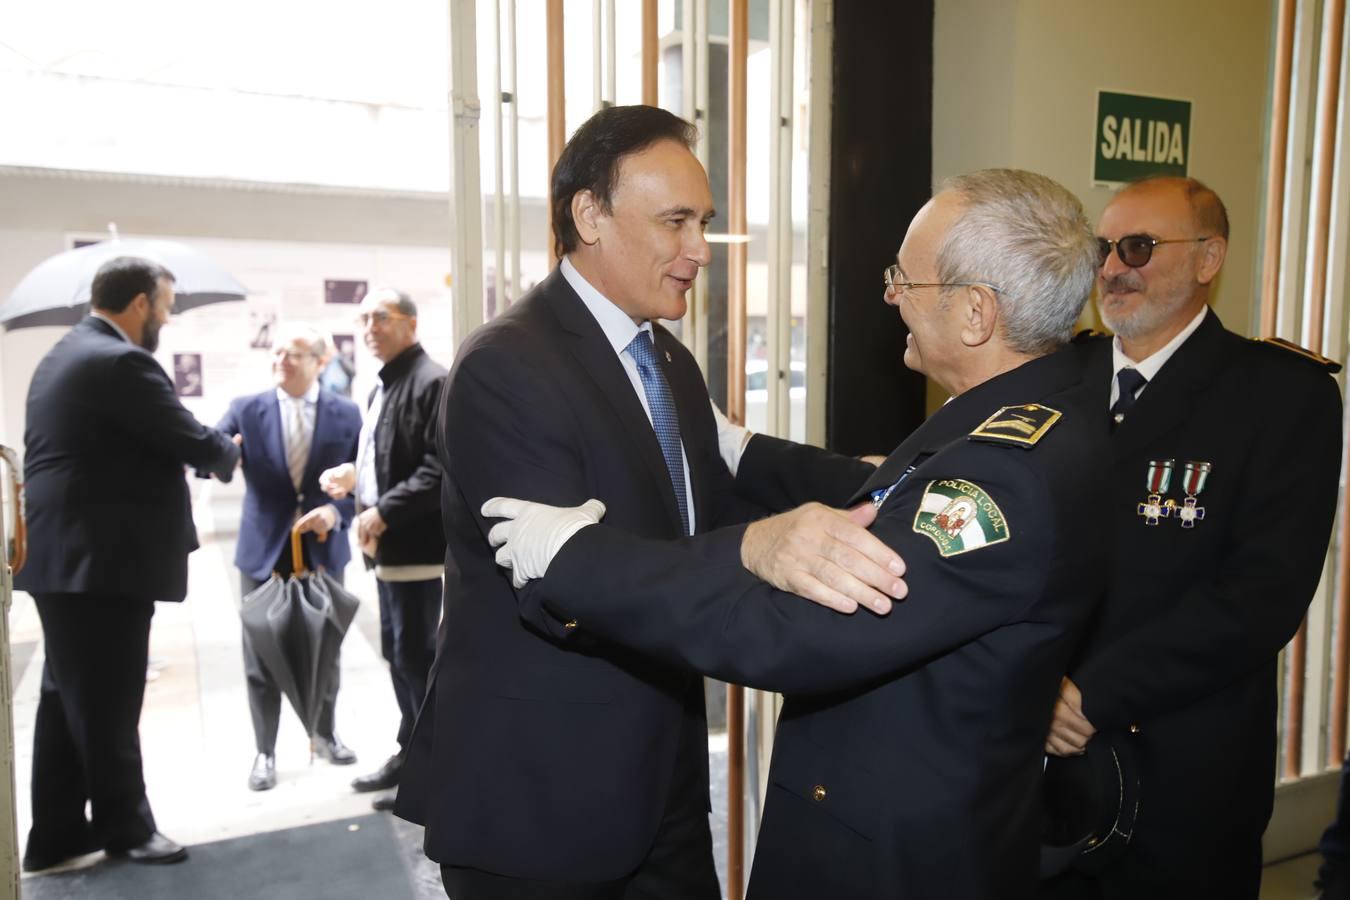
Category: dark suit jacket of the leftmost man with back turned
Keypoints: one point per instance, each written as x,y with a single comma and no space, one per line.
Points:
106,446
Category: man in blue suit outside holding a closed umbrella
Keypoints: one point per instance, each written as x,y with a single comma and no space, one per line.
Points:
290,435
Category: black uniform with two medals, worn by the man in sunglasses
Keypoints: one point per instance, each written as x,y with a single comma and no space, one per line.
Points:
1187,642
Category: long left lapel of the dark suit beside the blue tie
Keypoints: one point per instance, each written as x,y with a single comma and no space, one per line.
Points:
597,358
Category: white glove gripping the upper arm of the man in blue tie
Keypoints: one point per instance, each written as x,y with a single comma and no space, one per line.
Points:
533,534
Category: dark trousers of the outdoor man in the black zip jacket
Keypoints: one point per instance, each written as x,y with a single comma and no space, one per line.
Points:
408,617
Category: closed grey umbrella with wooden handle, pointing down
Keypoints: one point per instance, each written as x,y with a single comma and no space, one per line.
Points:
296,627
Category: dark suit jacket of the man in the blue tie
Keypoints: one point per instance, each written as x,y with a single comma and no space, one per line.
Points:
534,756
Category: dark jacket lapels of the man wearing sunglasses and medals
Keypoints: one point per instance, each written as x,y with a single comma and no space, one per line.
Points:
1168,399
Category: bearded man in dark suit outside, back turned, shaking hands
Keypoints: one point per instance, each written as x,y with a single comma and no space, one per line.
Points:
110,530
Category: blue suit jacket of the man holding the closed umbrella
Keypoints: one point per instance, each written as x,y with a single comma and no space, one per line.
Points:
271,499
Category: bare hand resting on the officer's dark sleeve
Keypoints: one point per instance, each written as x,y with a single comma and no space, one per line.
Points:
828,557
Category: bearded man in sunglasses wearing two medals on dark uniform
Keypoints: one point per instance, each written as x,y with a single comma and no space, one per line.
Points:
1218,442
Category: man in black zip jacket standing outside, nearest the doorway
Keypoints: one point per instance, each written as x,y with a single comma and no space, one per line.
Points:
398,486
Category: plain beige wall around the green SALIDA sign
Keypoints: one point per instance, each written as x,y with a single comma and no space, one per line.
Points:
1016,82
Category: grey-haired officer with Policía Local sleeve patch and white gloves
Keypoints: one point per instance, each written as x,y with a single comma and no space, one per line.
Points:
909,751
